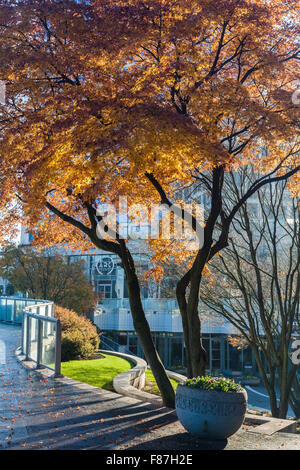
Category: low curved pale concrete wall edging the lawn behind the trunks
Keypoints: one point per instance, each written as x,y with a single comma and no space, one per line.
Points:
131,382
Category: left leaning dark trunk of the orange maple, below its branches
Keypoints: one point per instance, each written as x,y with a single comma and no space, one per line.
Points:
143,332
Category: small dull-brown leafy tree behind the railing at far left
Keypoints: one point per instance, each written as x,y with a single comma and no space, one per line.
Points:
48,275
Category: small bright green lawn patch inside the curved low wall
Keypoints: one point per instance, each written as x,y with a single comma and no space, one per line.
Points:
97,372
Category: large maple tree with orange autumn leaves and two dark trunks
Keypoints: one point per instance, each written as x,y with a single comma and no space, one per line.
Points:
112,98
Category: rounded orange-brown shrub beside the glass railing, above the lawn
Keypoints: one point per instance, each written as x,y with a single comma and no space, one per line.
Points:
80,338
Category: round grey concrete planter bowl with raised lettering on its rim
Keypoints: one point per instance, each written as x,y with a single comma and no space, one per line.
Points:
210,415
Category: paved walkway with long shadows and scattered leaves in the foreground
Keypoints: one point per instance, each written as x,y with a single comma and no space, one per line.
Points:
38,413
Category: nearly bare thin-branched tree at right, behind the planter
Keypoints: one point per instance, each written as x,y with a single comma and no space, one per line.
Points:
255,283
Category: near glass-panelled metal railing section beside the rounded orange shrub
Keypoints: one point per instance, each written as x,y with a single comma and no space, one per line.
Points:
41,337
